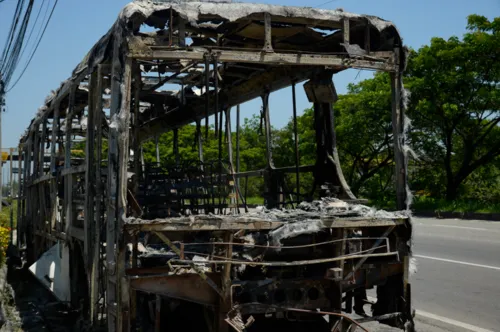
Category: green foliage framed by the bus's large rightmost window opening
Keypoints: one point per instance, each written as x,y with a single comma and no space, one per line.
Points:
364,135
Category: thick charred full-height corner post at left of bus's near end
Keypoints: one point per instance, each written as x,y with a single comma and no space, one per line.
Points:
117,296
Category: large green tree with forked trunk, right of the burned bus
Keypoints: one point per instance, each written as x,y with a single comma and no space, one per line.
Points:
456,101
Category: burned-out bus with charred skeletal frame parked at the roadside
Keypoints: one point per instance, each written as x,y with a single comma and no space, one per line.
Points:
173,244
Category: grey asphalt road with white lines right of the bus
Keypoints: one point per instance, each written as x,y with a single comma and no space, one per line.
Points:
458,277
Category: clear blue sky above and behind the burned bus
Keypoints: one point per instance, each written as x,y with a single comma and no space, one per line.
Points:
77,25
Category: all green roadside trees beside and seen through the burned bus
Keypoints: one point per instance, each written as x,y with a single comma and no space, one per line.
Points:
453,87
